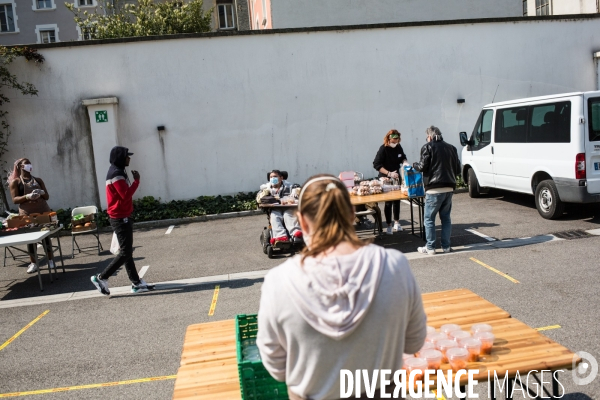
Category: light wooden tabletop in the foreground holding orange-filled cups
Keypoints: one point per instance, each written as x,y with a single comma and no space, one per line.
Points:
209,367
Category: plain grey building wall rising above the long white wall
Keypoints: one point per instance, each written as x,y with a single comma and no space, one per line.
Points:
304,13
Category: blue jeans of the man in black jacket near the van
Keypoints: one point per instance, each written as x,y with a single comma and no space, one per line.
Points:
435,203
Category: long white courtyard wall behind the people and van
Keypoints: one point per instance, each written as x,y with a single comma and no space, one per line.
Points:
307,102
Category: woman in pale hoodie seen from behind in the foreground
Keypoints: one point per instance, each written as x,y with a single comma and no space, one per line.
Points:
341,304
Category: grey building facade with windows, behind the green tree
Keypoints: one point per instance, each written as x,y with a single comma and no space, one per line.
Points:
50,21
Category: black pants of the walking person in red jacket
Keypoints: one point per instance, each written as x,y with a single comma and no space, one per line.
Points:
124,230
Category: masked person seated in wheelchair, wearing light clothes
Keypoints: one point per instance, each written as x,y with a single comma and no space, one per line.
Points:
282,218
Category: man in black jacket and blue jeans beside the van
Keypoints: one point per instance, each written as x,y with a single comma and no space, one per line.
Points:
440,165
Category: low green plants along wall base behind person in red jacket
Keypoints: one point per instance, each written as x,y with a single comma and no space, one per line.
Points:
150,209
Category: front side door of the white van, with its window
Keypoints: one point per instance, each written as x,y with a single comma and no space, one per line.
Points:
479,151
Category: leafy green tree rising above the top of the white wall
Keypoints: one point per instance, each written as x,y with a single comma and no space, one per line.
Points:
143,18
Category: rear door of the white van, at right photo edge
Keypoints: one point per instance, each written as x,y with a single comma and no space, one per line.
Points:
592,143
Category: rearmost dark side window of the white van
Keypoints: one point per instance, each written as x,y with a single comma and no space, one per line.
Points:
550,123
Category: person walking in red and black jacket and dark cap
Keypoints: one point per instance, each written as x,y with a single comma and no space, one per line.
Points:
119,194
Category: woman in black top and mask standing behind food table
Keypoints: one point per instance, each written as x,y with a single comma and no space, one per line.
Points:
388,161
